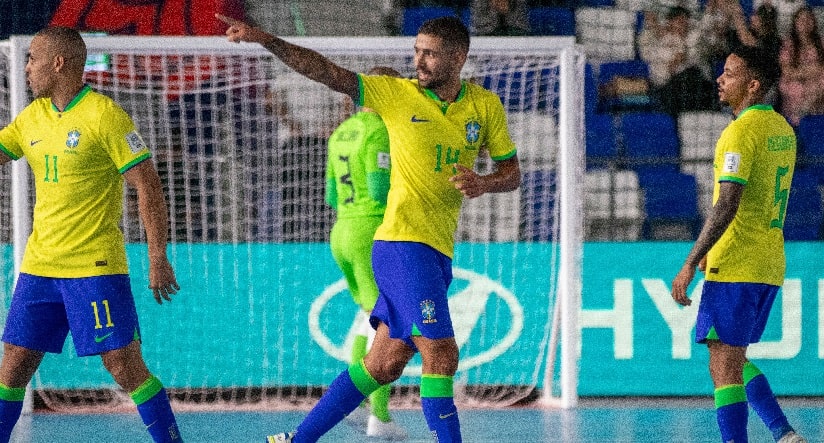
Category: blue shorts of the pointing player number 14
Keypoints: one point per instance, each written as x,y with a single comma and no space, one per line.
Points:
413,280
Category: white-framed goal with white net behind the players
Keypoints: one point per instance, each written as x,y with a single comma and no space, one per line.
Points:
263,318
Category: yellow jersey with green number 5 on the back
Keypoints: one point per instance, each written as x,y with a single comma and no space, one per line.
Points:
757,150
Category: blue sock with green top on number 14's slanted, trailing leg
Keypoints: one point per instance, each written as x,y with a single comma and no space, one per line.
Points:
345,393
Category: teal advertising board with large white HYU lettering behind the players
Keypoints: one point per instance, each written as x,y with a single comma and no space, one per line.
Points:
290,305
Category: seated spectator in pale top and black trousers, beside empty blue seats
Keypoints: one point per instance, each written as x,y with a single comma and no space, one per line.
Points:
678,82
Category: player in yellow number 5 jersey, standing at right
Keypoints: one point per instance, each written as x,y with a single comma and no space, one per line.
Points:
741,246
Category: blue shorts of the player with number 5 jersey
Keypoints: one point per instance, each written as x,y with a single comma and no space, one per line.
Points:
737,312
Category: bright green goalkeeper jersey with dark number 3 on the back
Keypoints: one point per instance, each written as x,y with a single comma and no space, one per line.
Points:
357,169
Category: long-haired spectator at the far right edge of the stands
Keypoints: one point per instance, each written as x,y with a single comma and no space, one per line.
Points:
802,67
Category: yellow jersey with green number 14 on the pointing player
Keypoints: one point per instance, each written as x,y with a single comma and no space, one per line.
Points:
427,137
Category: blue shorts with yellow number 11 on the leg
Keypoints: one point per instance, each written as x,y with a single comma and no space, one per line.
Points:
99,311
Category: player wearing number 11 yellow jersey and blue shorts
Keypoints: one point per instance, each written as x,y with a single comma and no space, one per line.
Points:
74,276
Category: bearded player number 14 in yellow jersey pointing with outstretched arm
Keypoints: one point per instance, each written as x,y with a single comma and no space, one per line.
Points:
437,125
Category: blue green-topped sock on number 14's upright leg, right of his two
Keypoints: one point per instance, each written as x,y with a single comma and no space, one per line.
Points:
439,408
